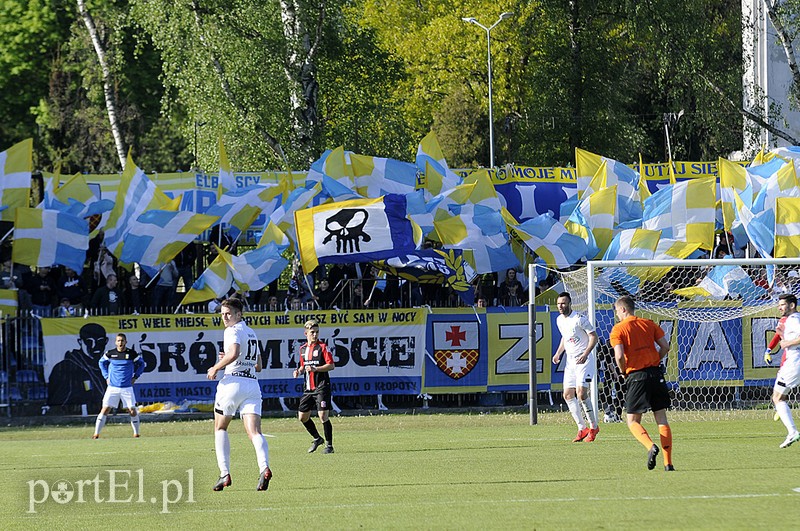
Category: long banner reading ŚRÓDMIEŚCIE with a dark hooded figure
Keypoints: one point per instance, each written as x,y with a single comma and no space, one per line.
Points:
375,352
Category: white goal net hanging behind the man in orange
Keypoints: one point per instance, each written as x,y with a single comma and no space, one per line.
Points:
718,315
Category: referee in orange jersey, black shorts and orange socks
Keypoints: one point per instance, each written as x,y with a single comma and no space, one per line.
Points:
634,340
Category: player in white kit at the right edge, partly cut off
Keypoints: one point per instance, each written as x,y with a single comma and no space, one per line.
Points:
789,374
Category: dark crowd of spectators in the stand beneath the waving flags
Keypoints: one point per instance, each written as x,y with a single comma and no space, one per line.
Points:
104,287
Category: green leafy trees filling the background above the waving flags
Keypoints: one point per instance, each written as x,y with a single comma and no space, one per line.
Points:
374,76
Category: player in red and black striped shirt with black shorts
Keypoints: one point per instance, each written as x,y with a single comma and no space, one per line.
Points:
316,362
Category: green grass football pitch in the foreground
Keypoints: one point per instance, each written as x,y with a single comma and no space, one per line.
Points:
438,471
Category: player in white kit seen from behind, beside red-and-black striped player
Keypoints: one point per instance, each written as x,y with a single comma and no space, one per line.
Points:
238,391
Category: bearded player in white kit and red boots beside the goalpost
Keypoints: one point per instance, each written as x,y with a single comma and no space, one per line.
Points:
578,339
